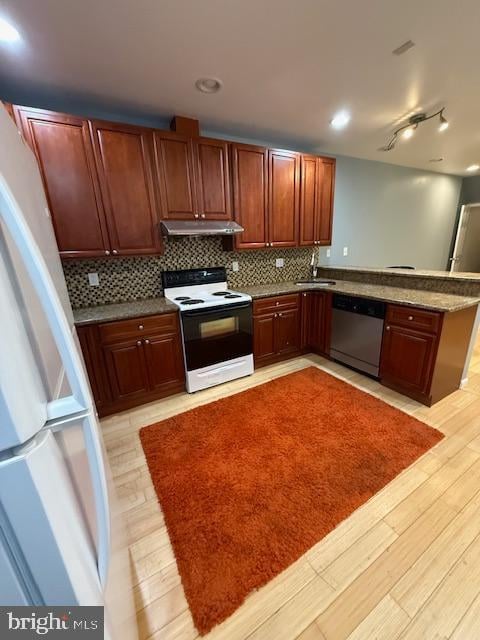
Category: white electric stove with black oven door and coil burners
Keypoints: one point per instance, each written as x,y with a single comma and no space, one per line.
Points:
216,326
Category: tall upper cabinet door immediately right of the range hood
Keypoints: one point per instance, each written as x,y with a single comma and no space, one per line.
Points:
250,195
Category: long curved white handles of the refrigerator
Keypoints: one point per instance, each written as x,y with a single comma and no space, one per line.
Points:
80,400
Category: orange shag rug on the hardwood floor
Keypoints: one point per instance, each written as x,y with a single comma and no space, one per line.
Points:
250,482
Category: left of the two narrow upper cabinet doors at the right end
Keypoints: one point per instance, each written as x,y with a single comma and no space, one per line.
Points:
309,174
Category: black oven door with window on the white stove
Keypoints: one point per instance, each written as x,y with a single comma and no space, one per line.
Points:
216,335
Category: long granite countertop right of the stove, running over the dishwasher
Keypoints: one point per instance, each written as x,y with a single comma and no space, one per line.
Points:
411,297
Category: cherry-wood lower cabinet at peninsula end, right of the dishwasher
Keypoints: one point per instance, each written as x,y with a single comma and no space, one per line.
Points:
424,352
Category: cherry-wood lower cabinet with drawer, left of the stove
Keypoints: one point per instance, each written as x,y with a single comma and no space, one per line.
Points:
131,362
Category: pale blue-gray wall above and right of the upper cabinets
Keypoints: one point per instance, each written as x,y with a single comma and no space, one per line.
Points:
384,214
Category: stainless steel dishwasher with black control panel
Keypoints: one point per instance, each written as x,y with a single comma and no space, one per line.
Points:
357,330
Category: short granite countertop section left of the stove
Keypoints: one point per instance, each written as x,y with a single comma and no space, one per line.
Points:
122,311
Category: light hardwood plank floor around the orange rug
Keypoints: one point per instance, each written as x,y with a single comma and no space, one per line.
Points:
405,565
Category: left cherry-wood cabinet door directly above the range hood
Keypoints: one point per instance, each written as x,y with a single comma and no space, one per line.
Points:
174,162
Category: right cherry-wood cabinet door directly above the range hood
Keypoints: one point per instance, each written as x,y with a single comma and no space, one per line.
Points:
212,179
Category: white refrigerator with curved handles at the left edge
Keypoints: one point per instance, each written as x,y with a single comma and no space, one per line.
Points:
61,539
